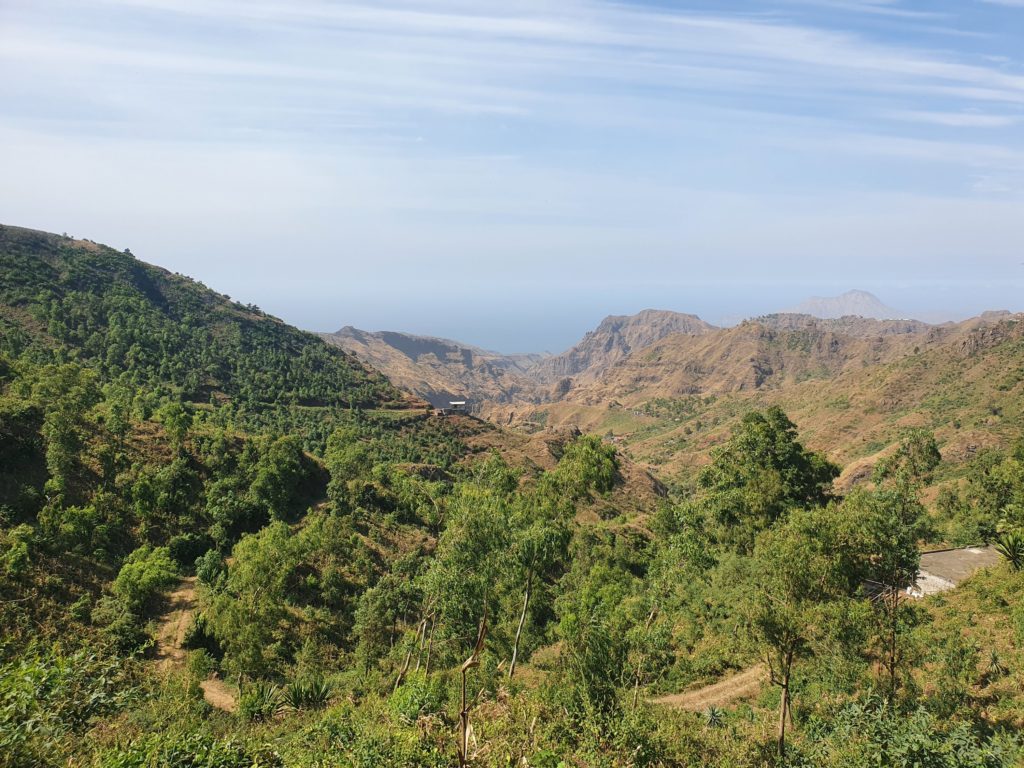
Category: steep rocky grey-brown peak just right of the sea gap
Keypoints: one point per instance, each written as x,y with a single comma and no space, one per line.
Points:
616,338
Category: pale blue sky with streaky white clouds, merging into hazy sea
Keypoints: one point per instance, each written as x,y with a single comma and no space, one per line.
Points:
508,174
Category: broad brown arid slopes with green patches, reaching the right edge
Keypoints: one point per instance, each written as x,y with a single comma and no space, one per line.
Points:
852,396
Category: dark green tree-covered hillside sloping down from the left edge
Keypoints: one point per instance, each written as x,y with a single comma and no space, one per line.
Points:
70,301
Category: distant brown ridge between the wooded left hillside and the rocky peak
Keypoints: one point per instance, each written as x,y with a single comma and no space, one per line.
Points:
441,370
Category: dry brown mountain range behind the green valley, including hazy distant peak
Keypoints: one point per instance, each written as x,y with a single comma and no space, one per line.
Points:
669,387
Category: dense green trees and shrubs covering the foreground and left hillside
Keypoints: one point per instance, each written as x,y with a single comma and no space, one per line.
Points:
370,591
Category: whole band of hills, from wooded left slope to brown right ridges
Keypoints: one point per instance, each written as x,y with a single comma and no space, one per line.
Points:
666,387
